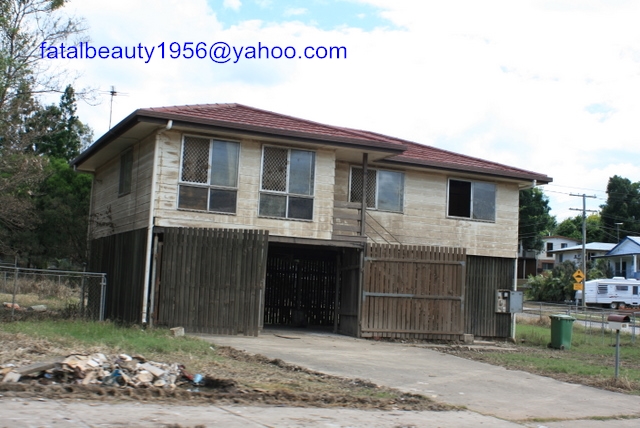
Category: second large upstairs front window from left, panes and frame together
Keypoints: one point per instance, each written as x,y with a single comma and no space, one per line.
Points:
287,183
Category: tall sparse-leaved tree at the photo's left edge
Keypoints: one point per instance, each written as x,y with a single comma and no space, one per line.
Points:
24,25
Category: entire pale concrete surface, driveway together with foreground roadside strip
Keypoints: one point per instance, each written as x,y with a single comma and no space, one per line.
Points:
492,396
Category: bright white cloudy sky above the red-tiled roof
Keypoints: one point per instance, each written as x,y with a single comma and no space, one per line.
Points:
548,86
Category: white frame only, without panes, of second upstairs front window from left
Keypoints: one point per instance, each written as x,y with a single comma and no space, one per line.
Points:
286,193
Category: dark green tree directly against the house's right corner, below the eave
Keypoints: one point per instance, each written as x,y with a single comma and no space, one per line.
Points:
534,220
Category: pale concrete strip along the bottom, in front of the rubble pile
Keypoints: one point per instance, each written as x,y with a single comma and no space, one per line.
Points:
17,413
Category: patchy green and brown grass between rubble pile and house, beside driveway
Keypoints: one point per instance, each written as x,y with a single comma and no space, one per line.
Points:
259,379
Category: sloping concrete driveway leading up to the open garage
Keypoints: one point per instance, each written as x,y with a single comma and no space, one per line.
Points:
488,390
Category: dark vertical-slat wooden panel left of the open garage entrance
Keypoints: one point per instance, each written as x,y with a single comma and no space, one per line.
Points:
212,280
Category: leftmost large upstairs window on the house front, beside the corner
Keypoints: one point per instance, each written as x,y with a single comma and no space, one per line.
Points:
209,175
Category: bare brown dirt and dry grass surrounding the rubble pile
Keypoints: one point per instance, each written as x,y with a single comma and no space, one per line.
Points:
235,377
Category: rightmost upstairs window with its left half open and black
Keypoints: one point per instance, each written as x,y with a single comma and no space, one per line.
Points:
472,199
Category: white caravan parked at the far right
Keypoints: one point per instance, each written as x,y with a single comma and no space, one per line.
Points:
611,293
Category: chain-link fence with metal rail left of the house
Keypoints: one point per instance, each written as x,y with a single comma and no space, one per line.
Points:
67,294
